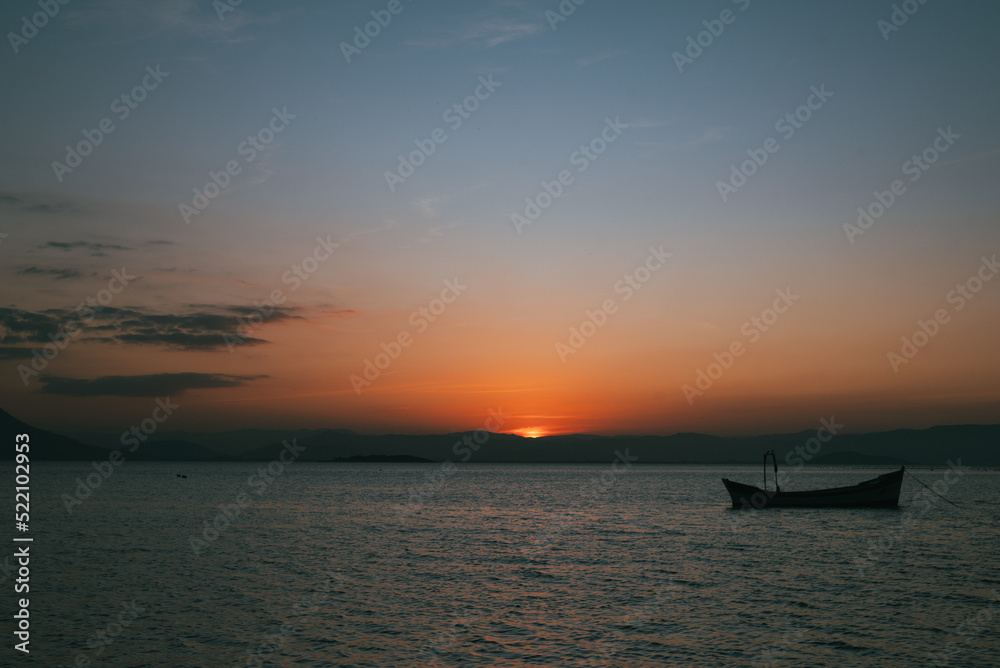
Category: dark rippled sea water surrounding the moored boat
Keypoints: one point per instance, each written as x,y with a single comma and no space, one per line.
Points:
500,565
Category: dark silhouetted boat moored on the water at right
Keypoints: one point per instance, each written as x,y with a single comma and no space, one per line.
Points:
880,492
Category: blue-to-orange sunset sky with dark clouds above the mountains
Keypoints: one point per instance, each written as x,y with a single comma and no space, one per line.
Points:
298,266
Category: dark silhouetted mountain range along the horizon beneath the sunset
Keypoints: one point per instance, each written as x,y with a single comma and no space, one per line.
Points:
977,445
